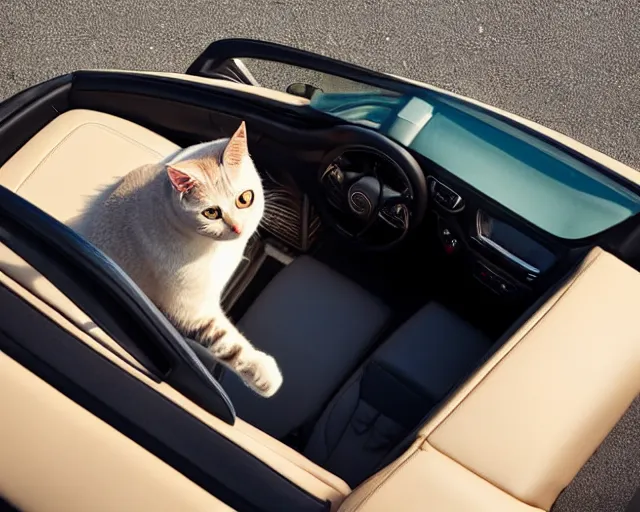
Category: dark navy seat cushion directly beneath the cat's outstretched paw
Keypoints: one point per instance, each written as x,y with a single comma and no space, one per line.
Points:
319,326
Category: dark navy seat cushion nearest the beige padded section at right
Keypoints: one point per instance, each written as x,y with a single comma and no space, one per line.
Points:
393,391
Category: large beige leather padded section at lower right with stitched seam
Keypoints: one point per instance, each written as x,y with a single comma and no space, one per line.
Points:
517,432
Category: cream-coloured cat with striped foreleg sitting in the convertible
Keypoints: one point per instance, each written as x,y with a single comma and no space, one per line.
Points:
179,229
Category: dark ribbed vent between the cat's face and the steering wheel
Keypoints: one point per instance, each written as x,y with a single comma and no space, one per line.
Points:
288,214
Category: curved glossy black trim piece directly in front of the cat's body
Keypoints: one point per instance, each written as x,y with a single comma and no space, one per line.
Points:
64,256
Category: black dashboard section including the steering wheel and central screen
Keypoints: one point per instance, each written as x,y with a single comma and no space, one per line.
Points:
508,256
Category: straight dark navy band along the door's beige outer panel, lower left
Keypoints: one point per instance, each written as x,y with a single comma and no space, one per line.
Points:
146,416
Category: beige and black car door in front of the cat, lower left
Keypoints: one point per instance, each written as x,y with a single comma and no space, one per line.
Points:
90,426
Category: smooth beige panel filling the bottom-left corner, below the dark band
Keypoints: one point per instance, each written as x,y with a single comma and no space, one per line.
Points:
57,457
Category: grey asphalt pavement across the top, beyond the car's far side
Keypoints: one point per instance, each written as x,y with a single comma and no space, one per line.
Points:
573,65
